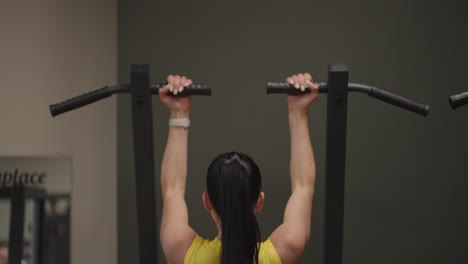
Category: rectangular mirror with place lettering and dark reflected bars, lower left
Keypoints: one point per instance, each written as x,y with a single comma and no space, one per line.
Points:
35,199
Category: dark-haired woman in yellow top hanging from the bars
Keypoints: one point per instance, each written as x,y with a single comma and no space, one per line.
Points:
234,193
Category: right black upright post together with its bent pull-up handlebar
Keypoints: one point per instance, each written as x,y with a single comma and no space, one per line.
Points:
337,108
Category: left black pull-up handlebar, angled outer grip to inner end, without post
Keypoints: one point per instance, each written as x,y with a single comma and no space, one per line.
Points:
104,92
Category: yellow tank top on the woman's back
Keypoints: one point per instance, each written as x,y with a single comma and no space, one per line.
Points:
204,251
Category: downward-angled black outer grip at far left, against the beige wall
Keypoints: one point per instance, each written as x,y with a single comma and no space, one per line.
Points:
79,101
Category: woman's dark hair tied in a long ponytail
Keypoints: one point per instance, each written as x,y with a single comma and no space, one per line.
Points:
233,184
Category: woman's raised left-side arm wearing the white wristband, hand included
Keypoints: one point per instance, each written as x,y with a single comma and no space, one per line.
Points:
176,235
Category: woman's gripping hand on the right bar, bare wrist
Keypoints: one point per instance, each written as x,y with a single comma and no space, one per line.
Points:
300,103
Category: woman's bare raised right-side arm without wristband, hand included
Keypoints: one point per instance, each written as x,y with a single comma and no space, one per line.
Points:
291,237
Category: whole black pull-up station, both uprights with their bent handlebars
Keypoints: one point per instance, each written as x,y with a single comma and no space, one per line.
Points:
141,90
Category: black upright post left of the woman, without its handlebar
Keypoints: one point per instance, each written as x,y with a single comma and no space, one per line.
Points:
144,163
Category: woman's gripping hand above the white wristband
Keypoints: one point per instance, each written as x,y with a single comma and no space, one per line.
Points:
179,106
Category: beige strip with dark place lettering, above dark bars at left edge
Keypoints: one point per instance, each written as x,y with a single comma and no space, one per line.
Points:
52,173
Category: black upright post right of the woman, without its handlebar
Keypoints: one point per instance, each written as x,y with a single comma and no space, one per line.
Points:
337,107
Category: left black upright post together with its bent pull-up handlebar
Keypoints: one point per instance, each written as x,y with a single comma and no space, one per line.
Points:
141,90
